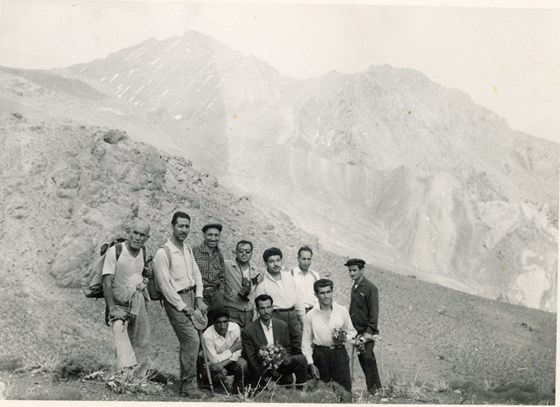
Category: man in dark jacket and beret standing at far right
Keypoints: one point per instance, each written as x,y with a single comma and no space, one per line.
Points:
364,311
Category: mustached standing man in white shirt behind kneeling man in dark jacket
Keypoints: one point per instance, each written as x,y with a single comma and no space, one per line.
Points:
281,286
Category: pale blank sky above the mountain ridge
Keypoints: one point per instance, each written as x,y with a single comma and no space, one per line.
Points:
505,58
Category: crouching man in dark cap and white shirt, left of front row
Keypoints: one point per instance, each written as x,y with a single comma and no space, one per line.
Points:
222,342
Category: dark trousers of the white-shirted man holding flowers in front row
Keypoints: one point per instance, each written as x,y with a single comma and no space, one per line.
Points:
333,365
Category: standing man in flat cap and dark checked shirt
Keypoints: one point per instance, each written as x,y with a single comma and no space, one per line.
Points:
210,261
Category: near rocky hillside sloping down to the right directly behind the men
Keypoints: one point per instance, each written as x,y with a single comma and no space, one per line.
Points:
68,187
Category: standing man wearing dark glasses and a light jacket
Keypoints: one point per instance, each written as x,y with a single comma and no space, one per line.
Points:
241,277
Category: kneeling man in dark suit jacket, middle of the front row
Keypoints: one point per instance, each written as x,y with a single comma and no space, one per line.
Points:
266,331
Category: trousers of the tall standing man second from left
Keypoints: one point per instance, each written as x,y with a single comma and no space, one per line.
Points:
189,341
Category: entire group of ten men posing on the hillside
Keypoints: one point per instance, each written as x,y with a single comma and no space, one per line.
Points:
247,311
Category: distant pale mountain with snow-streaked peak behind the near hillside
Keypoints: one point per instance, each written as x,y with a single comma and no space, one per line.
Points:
432,184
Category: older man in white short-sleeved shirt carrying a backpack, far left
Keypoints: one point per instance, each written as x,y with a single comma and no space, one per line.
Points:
124,292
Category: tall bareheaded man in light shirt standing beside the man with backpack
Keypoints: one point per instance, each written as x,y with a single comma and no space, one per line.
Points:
181,285
